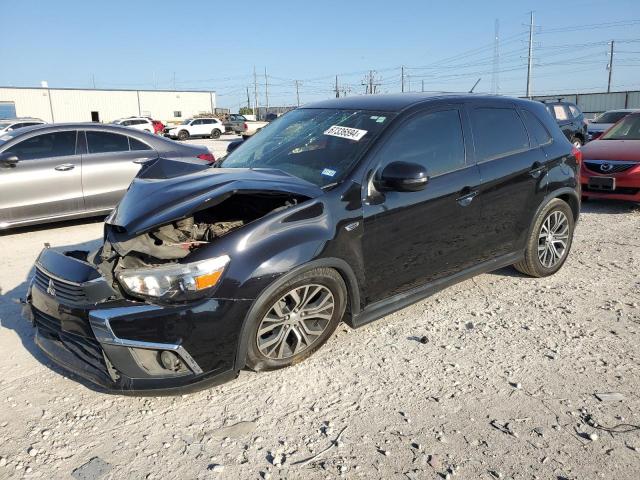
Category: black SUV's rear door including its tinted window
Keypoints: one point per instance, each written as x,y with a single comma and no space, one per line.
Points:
512,172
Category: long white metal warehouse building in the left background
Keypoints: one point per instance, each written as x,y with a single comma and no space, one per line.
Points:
85,105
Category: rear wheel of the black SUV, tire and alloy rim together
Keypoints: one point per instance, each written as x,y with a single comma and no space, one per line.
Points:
535,262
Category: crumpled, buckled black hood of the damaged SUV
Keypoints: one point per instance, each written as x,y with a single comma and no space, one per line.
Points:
151,202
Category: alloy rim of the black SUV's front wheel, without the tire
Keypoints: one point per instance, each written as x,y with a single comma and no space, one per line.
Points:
295,321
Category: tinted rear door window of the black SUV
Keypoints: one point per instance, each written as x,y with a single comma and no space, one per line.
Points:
497,132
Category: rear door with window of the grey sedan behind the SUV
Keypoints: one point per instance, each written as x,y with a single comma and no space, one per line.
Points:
109,163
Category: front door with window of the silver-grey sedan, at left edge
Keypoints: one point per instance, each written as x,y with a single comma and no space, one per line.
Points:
46,182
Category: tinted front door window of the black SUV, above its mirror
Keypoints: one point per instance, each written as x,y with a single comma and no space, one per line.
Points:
434,140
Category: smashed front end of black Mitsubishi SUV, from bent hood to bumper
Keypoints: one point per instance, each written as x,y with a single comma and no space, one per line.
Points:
156,323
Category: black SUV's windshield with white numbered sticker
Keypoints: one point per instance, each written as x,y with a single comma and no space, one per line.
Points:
317,145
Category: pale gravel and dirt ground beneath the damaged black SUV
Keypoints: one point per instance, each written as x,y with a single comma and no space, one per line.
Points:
503,388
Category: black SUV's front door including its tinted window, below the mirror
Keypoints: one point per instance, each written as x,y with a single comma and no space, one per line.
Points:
412,238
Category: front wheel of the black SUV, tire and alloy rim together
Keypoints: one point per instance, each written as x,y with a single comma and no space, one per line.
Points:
286,330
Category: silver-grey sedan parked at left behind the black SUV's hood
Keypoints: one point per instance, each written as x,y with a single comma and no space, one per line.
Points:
56,172
